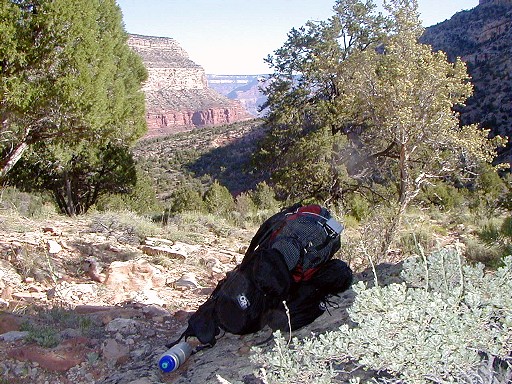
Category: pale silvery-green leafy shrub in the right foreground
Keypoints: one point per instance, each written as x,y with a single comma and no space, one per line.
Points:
433,327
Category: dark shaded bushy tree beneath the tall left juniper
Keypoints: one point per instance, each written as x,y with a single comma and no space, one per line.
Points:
77,178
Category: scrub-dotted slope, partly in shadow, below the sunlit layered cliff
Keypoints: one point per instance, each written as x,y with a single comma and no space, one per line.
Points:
176,159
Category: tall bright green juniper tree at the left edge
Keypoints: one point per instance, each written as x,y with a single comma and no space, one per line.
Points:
69,80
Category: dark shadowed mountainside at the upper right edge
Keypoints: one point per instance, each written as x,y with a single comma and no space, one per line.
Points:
482,37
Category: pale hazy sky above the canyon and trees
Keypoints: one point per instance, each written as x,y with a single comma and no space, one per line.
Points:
234,36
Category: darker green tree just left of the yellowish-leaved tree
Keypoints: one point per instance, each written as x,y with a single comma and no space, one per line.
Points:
304,82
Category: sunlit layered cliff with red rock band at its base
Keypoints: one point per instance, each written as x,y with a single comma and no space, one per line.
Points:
177,94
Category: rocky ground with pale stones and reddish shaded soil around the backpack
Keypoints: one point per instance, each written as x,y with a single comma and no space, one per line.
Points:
83,304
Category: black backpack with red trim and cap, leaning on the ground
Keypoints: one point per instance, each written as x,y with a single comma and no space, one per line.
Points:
288,248
